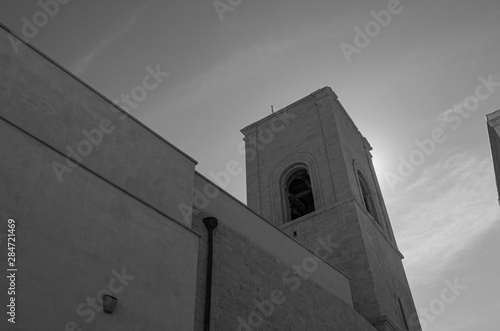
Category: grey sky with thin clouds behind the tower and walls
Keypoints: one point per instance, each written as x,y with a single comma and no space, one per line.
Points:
417,82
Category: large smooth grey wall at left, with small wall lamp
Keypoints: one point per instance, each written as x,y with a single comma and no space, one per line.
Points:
108,225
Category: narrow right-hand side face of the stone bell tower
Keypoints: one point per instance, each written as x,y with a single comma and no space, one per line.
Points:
378,239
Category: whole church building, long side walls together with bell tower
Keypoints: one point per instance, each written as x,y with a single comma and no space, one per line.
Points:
116,230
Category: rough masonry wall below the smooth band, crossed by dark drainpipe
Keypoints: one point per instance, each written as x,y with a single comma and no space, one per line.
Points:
245,277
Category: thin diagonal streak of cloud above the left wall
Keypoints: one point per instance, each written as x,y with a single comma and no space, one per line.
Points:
83,62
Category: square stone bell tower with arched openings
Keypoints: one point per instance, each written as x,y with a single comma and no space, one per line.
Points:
310,173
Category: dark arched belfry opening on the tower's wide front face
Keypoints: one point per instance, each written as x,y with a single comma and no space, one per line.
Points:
299,194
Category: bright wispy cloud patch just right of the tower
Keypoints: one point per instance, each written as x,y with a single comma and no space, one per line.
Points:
454,202
